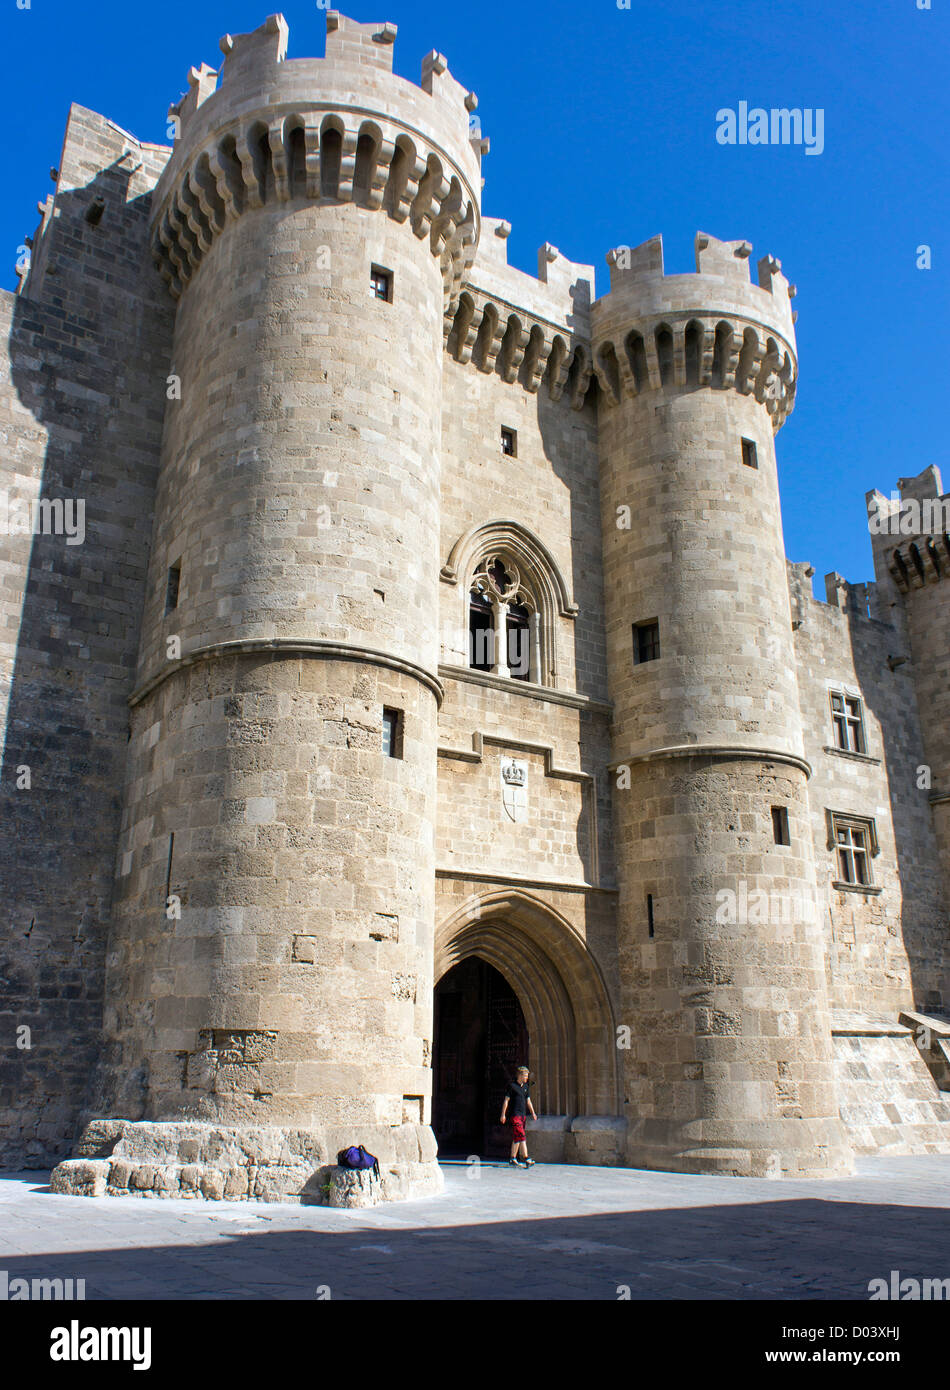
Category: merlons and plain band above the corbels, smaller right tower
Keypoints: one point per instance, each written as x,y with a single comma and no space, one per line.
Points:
721,287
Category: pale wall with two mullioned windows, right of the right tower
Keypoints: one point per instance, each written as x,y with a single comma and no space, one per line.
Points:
885,947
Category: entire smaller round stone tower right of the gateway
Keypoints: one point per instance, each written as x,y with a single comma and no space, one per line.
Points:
730,1060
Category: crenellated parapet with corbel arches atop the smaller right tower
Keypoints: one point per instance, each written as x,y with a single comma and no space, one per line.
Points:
713,329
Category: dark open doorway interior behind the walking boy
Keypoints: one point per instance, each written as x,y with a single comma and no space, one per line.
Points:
481,1039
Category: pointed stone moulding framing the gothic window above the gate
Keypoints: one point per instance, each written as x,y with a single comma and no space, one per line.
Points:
539,571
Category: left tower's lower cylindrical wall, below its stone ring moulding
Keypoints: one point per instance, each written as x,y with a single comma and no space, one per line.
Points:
296,985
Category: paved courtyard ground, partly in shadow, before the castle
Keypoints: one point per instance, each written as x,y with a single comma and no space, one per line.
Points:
554,1232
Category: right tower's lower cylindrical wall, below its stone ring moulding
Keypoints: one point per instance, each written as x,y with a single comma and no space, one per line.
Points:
730,1068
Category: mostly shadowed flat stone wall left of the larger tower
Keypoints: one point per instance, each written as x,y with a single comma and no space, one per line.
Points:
86,362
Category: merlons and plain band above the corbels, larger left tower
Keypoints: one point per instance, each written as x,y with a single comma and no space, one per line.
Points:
354,81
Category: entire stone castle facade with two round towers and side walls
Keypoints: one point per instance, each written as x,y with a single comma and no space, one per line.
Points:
432,618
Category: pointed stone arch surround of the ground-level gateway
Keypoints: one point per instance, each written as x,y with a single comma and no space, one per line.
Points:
561,992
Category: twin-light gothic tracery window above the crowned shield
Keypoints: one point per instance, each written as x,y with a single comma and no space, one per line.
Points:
504,622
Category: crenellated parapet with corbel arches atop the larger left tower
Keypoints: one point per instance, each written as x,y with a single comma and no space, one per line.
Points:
343,129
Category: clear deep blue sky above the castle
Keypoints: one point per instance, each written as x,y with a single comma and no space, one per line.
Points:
603,133
